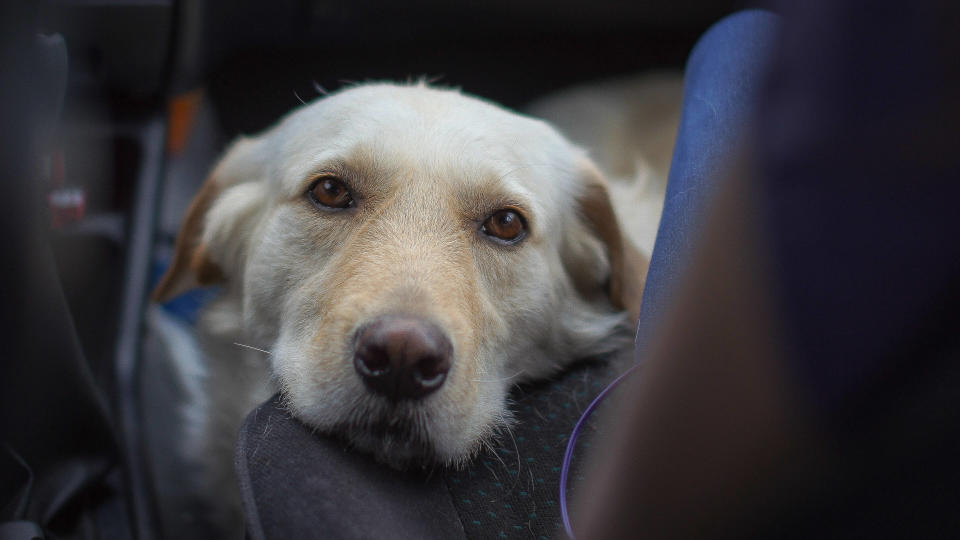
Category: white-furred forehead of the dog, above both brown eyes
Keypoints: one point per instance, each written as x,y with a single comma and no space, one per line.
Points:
421,128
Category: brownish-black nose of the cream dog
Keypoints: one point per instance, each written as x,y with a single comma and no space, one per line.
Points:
402,356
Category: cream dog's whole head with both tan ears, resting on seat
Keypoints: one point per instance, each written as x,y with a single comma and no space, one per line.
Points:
407,254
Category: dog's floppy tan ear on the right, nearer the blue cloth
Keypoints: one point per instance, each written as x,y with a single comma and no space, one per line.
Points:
627,266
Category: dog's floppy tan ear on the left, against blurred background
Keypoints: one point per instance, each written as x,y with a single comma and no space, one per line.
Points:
192,264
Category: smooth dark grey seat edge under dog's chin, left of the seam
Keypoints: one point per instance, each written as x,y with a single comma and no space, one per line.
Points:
297,485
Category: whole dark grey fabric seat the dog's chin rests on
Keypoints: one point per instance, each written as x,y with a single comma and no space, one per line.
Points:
299,484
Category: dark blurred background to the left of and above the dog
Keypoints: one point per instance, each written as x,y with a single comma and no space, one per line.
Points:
114,111
